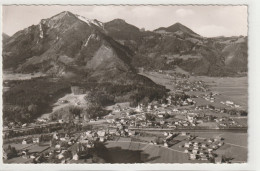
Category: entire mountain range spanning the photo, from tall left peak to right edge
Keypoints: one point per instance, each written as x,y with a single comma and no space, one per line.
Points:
69,44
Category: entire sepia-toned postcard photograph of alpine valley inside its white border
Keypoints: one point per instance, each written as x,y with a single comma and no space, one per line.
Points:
125,84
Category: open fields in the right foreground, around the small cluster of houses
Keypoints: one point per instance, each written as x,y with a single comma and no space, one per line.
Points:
150,153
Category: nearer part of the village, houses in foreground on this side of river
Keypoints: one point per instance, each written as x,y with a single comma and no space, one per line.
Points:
82,146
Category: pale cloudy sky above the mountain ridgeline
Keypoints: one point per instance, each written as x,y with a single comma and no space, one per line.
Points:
208,21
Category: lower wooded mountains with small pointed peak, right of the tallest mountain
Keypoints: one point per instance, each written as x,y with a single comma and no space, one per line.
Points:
178,45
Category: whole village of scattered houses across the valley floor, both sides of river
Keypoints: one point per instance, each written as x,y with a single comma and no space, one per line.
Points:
175,119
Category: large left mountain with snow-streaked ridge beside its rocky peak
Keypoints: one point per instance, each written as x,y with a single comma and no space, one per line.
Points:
69,45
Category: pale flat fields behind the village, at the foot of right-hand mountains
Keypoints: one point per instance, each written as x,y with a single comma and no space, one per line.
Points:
230,88
